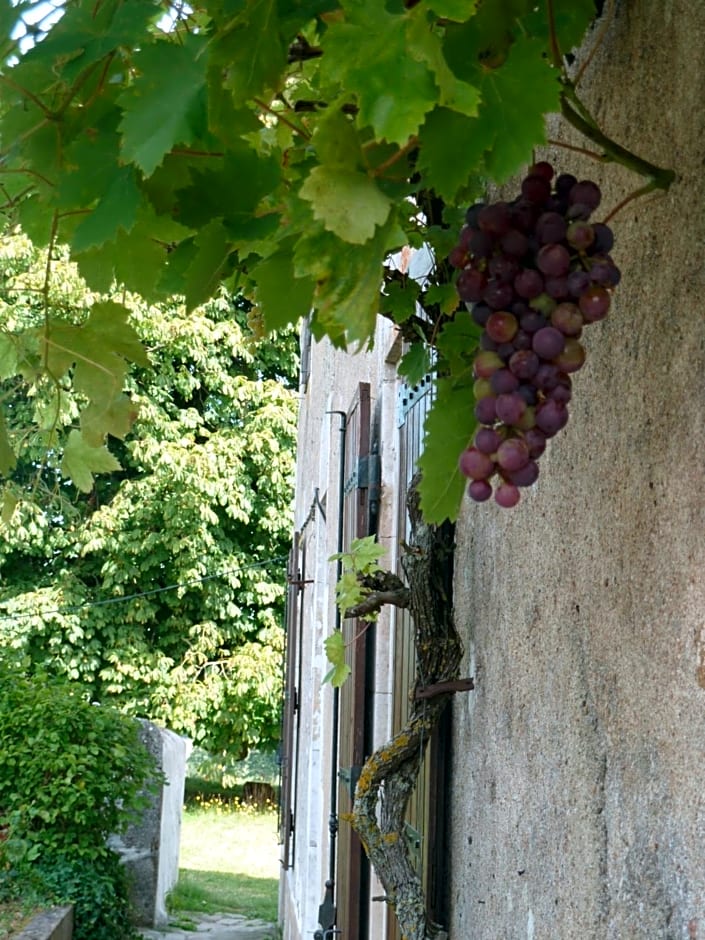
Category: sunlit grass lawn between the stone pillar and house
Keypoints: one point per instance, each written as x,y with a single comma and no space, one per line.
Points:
229,861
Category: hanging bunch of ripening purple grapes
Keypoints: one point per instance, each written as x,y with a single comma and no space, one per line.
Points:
533,273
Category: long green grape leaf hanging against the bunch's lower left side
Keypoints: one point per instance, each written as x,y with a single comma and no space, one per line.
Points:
447,432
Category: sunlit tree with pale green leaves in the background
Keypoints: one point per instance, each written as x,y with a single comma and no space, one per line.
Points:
160,589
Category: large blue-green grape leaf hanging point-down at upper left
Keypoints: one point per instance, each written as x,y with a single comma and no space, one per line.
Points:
158,107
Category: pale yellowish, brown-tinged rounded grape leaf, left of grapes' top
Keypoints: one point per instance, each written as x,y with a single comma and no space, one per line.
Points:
347,202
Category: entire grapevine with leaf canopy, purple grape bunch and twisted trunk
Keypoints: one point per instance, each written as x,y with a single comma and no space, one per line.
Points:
281,152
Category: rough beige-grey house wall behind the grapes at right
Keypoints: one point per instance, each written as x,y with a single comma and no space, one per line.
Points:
580,758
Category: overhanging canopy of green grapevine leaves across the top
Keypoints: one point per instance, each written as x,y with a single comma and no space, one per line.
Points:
280,147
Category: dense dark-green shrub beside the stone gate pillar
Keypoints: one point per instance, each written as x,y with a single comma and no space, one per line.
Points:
71,774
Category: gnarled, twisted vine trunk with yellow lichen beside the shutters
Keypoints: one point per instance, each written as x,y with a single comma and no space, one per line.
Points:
390,774
